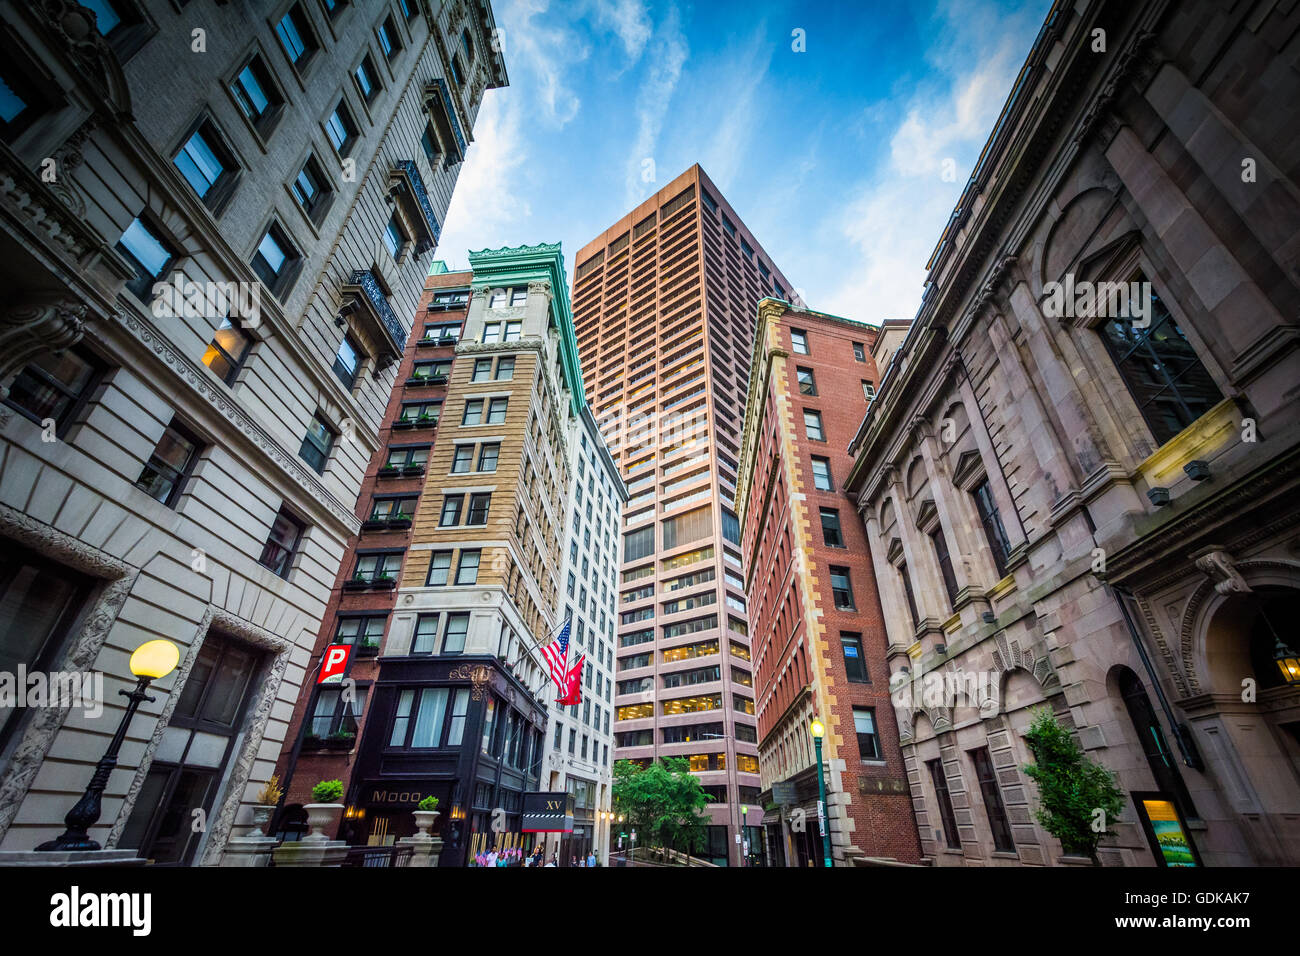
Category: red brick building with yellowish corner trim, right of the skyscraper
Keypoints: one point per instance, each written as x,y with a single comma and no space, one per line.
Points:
817,630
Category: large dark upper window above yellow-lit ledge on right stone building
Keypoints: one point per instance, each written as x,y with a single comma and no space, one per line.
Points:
1162,370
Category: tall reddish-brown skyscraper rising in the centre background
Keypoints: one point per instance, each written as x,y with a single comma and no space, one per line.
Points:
665,304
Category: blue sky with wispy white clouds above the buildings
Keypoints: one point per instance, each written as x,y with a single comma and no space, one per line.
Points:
834,157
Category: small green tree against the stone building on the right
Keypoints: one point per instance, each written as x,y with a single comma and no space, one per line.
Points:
1078,799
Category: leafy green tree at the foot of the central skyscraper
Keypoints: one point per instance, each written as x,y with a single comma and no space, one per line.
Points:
664,803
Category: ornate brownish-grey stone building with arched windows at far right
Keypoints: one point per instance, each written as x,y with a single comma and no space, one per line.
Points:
1080,477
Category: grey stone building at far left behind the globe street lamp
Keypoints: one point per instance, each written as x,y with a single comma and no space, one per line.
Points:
211,259
